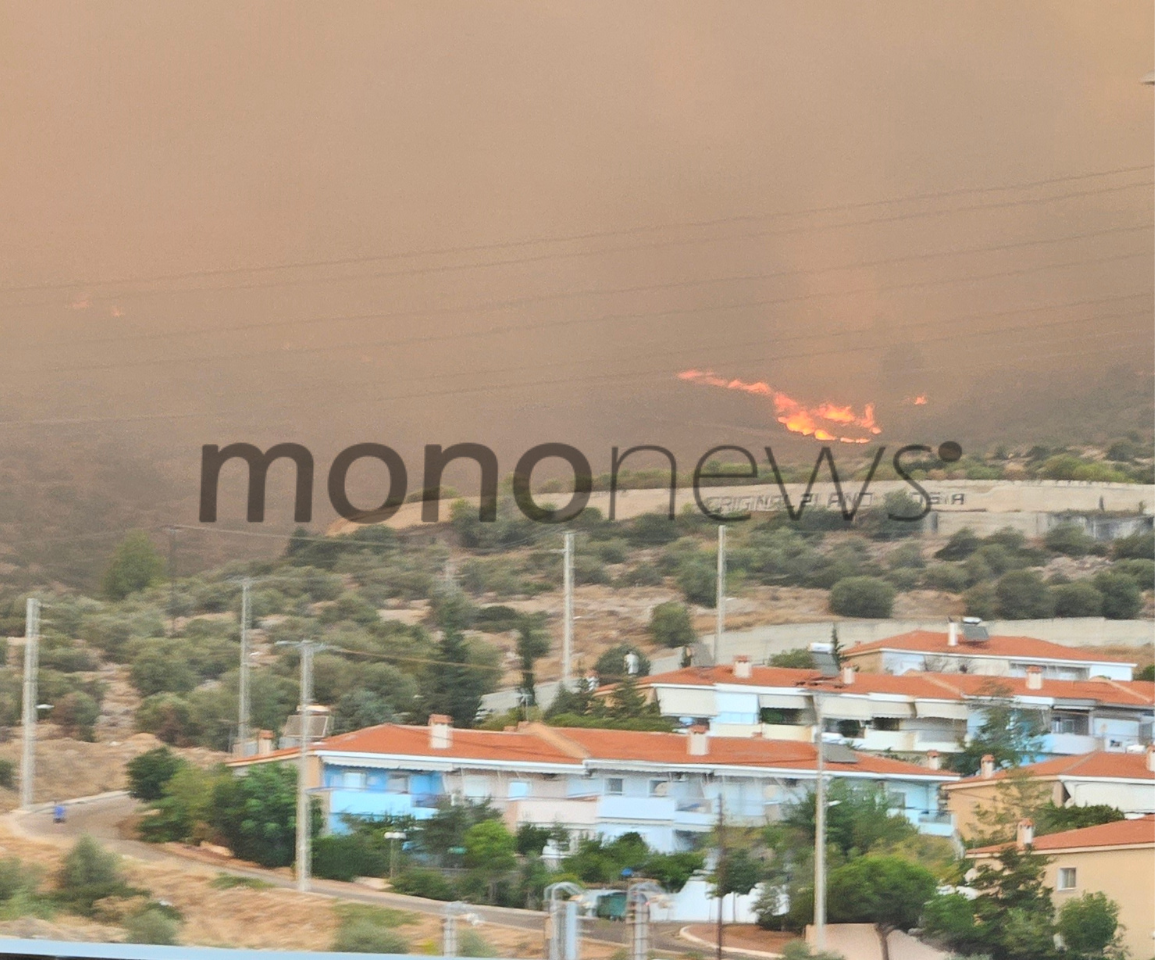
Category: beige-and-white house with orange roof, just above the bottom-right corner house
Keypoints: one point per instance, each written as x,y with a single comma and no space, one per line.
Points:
1126,782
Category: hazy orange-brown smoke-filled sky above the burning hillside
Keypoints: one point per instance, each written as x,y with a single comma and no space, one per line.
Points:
516,222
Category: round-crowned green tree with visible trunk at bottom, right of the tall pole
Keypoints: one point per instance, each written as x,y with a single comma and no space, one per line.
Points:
886,891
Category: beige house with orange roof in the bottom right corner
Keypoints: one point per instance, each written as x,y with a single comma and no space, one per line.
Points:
1114,859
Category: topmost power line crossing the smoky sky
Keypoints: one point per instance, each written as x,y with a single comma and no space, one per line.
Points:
562,239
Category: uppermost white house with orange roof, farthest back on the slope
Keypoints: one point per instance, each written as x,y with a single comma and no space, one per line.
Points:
963,650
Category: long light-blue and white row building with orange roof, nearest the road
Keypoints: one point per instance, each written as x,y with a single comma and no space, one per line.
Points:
666,787
